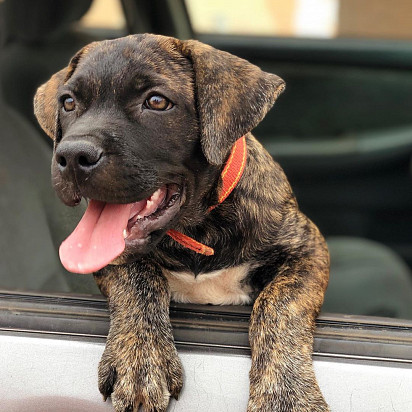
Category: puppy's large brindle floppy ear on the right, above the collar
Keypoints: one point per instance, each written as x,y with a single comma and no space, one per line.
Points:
232,94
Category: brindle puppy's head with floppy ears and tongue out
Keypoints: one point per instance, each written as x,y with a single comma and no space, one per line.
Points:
142,126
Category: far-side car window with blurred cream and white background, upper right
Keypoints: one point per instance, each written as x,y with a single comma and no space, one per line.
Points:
303,18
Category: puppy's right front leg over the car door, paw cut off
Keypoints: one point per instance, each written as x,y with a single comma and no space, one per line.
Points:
282,323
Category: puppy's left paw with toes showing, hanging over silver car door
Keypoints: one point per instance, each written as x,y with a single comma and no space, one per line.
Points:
134,373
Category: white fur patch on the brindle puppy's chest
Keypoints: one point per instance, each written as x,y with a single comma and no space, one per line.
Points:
221,287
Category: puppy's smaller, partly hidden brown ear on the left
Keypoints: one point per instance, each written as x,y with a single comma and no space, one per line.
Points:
45,100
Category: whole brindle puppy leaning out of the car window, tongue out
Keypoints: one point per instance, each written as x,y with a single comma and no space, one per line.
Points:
142,127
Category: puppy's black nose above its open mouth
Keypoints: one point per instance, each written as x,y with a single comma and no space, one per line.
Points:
78,156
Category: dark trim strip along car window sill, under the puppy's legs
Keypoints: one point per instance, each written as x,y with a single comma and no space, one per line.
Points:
217,328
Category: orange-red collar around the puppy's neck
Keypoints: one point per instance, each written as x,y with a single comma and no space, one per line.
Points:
230,176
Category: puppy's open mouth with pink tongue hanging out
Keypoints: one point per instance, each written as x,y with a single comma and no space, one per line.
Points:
106,229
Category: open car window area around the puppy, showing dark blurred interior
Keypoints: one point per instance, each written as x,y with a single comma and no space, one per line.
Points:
341,132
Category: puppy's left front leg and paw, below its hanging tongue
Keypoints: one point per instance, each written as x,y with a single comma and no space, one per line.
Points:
140,365
